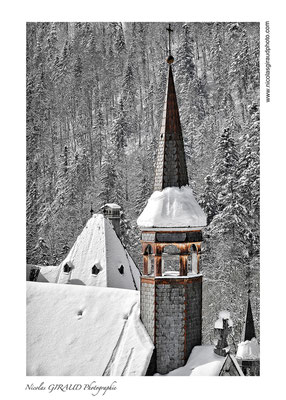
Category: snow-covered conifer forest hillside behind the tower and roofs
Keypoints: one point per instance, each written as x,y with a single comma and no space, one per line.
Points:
95,94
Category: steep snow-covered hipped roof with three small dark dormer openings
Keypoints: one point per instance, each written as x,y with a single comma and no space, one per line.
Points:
98,245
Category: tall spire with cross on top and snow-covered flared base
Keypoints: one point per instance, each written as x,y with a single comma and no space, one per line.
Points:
172,205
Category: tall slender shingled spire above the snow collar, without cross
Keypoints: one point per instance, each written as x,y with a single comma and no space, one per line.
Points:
171,169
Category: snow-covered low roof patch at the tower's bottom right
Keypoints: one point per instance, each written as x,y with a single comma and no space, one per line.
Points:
202,362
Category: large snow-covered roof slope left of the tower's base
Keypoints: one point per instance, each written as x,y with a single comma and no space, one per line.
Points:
80,330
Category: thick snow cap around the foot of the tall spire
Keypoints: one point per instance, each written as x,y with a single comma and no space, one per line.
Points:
172,207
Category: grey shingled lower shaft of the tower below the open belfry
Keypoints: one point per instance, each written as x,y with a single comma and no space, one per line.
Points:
171,311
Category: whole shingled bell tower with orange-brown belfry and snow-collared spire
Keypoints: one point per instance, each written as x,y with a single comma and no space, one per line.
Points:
170,224
